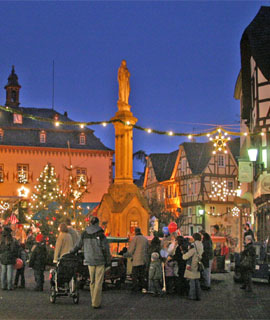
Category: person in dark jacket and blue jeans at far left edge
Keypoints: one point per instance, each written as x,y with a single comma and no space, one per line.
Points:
8,252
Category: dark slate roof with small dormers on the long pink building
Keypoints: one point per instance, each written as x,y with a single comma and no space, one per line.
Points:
27,133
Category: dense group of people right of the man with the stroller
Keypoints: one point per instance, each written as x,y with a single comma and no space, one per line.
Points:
171,264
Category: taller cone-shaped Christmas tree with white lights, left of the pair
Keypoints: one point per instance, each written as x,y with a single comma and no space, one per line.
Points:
45,202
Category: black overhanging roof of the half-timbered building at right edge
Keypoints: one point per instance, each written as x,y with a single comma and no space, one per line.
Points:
255,42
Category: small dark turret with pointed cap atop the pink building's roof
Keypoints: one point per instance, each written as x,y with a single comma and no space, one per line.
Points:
12,90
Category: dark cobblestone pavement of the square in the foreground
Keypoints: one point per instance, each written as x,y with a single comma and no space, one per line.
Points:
224,301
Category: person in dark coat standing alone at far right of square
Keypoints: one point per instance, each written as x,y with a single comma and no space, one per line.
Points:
249,253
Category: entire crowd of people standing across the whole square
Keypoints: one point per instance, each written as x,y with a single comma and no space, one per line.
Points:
173,264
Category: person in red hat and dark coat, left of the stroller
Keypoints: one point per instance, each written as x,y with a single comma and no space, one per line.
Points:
38,259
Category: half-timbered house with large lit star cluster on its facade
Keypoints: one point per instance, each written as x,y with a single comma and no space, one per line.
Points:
207,186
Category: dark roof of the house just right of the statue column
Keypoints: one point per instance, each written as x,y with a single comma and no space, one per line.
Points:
163,164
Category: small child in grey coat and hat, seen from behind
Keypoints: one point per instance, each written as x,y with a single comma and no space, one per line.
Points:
155,274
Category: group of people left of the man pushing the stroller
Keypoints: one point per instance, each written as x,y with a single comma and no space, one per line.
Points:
30,247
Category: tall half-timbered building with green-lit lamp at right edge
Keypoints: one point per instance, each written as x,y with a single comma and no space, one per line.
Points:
253,90
